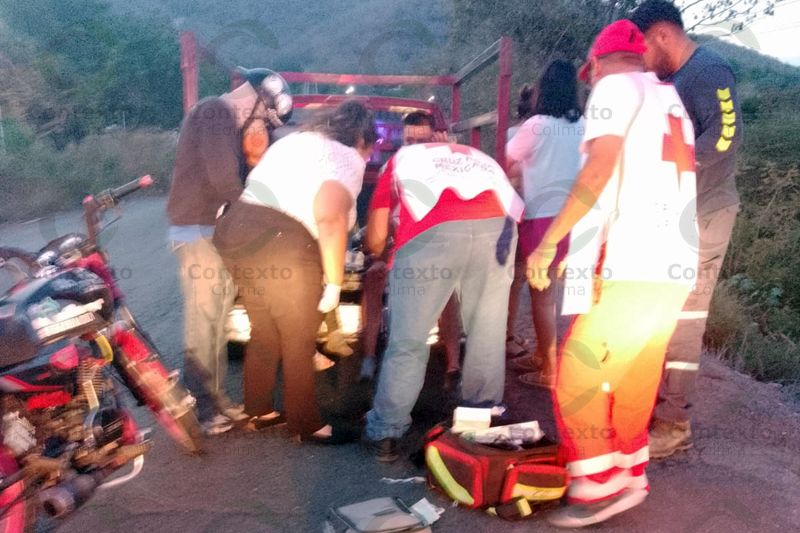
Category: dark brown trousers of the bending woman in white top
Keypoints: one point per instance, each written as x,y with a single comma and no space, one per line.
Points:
276,264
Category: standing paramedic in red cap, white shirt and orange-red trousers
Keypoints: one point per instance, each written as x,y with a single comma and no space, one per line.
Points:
636,194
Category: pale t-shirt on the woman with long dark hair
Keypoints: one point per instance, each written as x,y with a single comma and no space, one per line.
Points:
547,149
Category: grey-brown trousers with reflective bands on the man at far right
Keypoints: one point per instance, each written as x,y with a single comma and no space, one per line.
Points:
677,390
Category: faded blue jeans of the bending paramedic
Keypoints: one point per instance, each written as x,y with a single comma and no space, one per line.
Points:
475,258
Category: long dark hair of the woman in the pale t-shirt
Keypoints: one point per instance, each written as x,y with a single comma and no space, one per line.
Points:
558,92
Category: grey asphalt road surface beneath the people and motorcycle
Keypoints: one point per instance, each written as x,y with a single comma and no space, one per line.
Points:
742,475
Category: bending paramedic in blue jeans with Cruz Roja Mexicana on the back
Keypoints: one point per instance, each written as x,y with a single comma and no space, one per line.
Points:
455,234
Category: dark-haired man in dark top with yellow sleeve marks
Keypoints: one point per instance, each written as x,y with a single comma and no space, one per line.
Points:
706,84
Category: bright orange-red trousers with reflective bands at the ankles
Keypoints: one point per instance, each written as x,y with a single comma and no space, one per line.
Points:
608,374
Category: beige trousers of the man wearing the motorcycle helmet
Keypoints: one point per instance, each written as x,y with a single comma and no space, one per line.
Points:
208,295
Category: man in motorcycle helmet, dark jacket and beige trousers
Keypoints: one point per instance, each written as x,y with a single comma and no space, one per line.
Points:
220,139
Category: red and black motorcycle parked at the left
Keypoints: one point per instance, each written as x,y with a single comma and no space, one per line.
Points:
69,349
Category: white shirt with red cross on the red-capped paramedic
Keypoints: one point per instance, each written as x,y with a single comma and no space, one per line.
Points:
647,212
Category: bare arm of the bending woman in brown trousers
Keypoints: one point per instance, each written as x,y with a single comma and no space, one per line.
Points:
332,206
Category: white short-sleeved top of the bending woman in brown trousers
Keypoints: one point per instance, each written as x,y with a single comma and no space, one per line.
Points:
292,171
